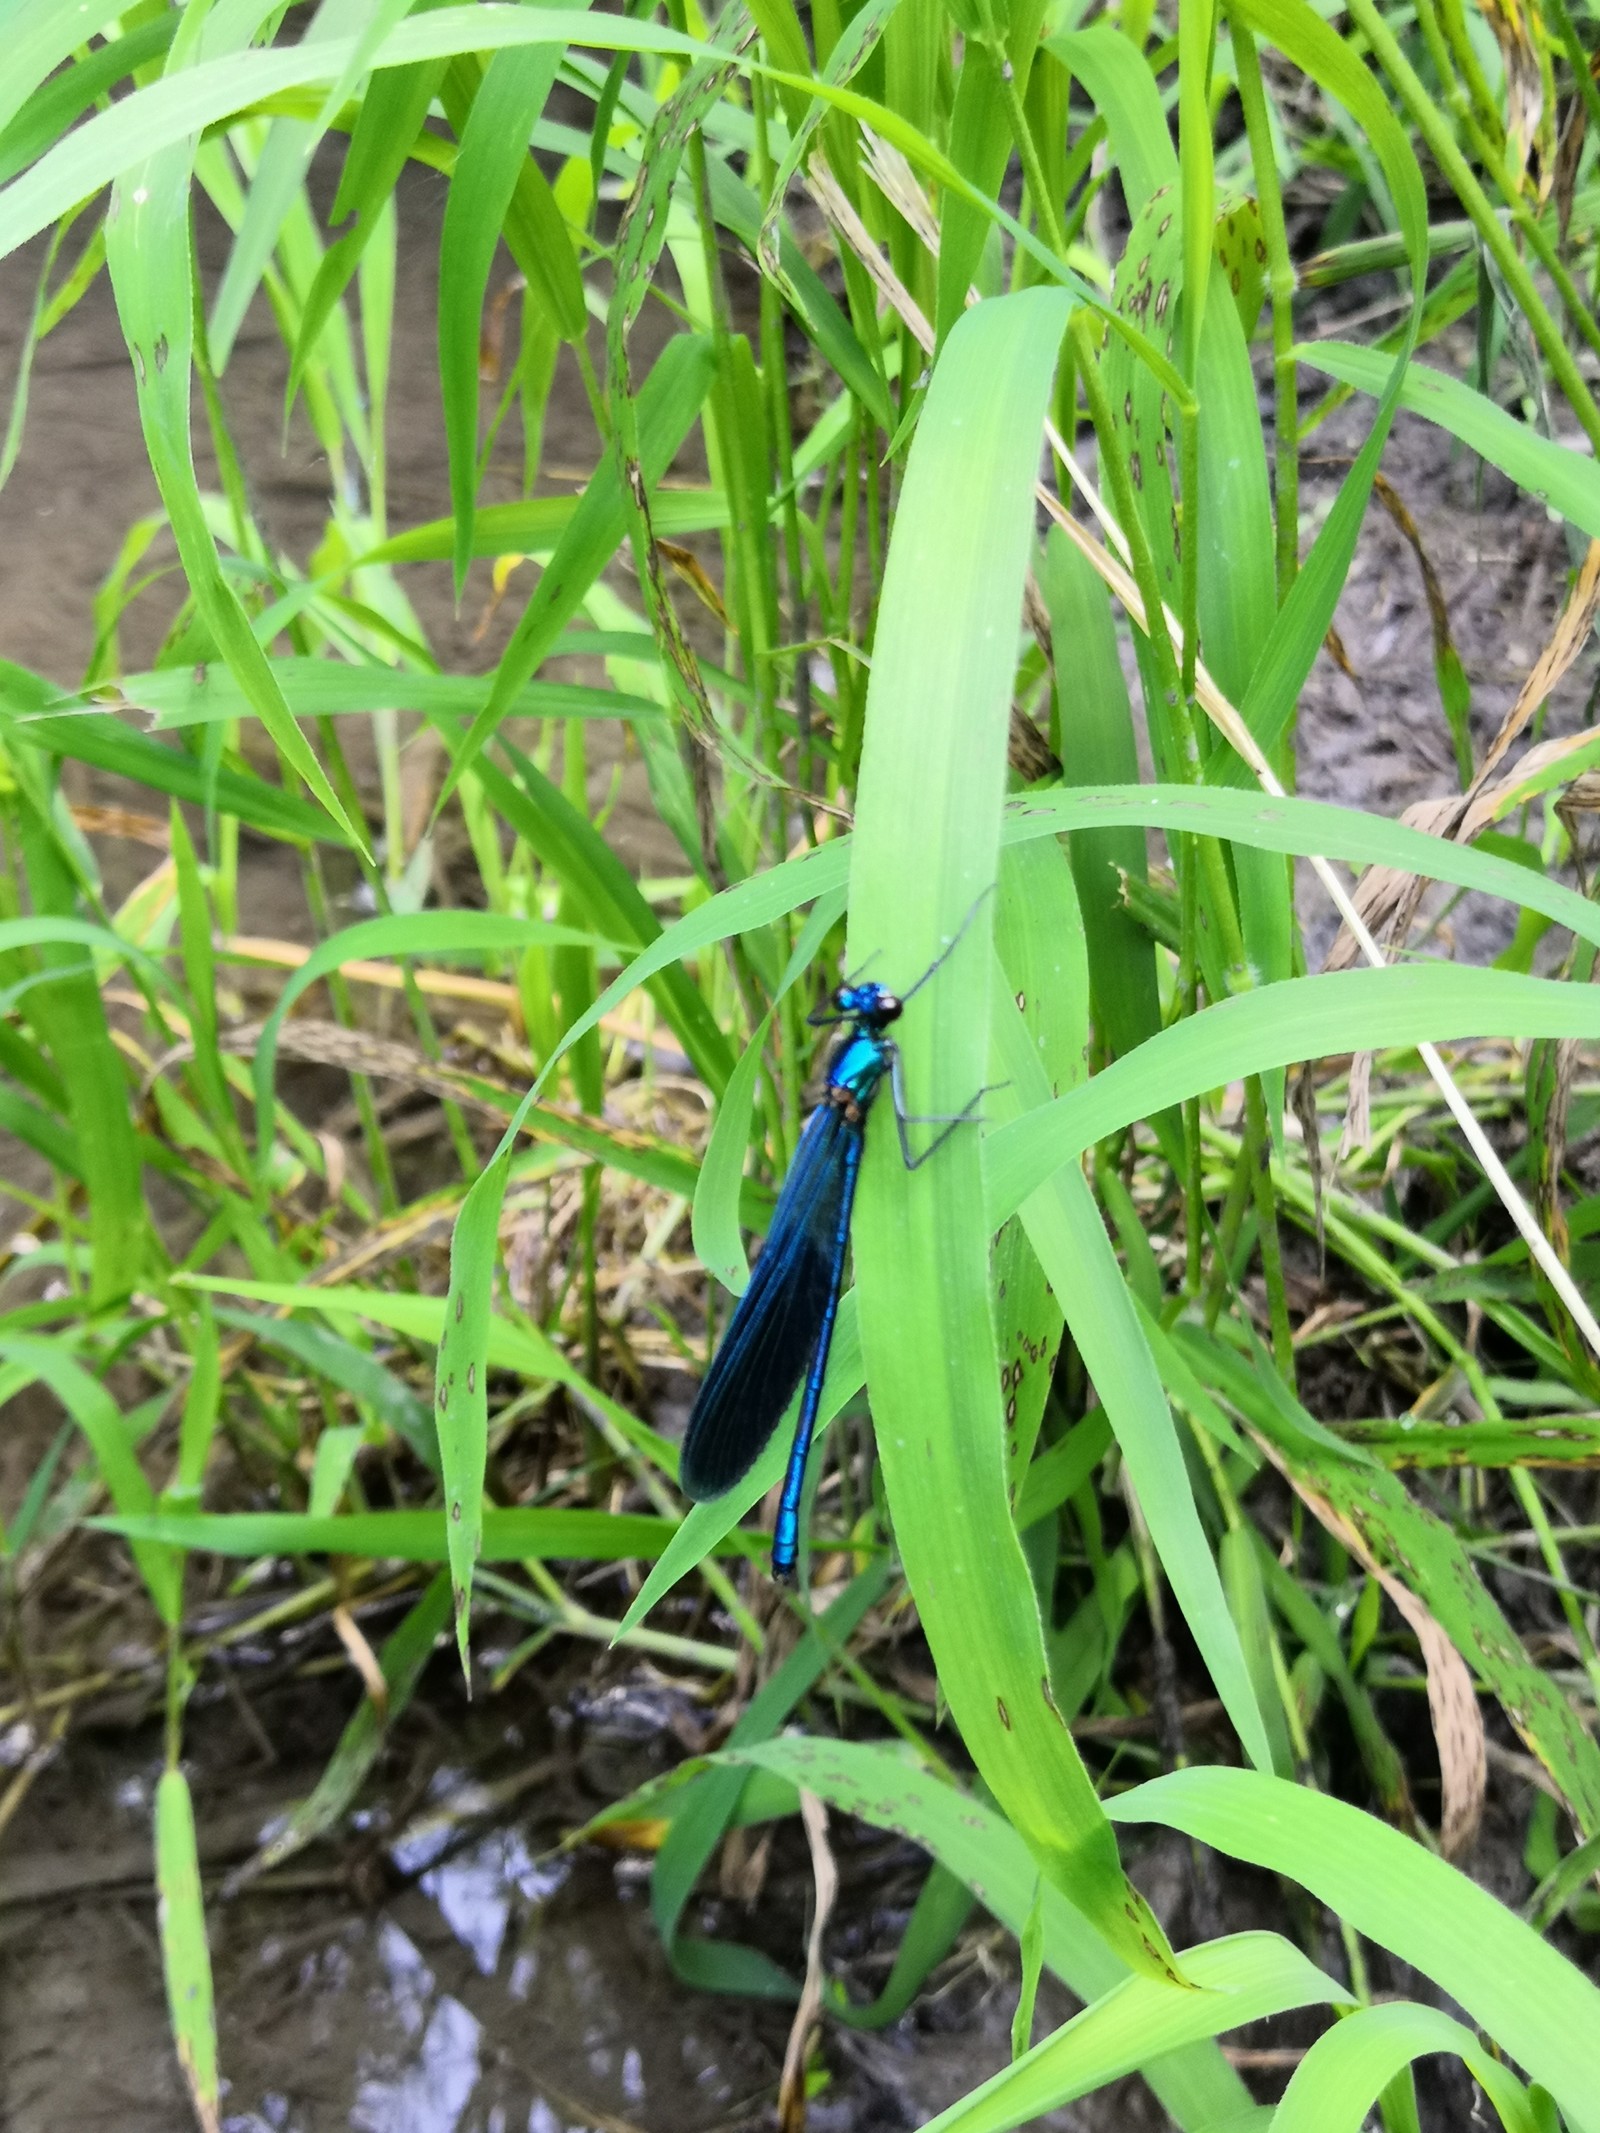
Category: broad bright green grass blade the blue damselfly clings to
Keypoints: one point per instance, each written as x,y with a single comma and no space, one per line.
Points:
929,812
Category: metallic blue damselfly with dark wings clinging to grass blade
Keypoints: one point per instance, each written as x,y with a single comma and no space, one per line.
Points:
784,1324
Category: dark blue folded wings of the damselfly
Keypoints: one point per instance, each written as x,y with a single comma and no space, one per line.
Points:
775,1324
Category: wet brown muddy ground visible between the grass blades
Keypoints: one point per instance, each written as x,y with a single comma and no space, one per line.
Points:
438,1970
